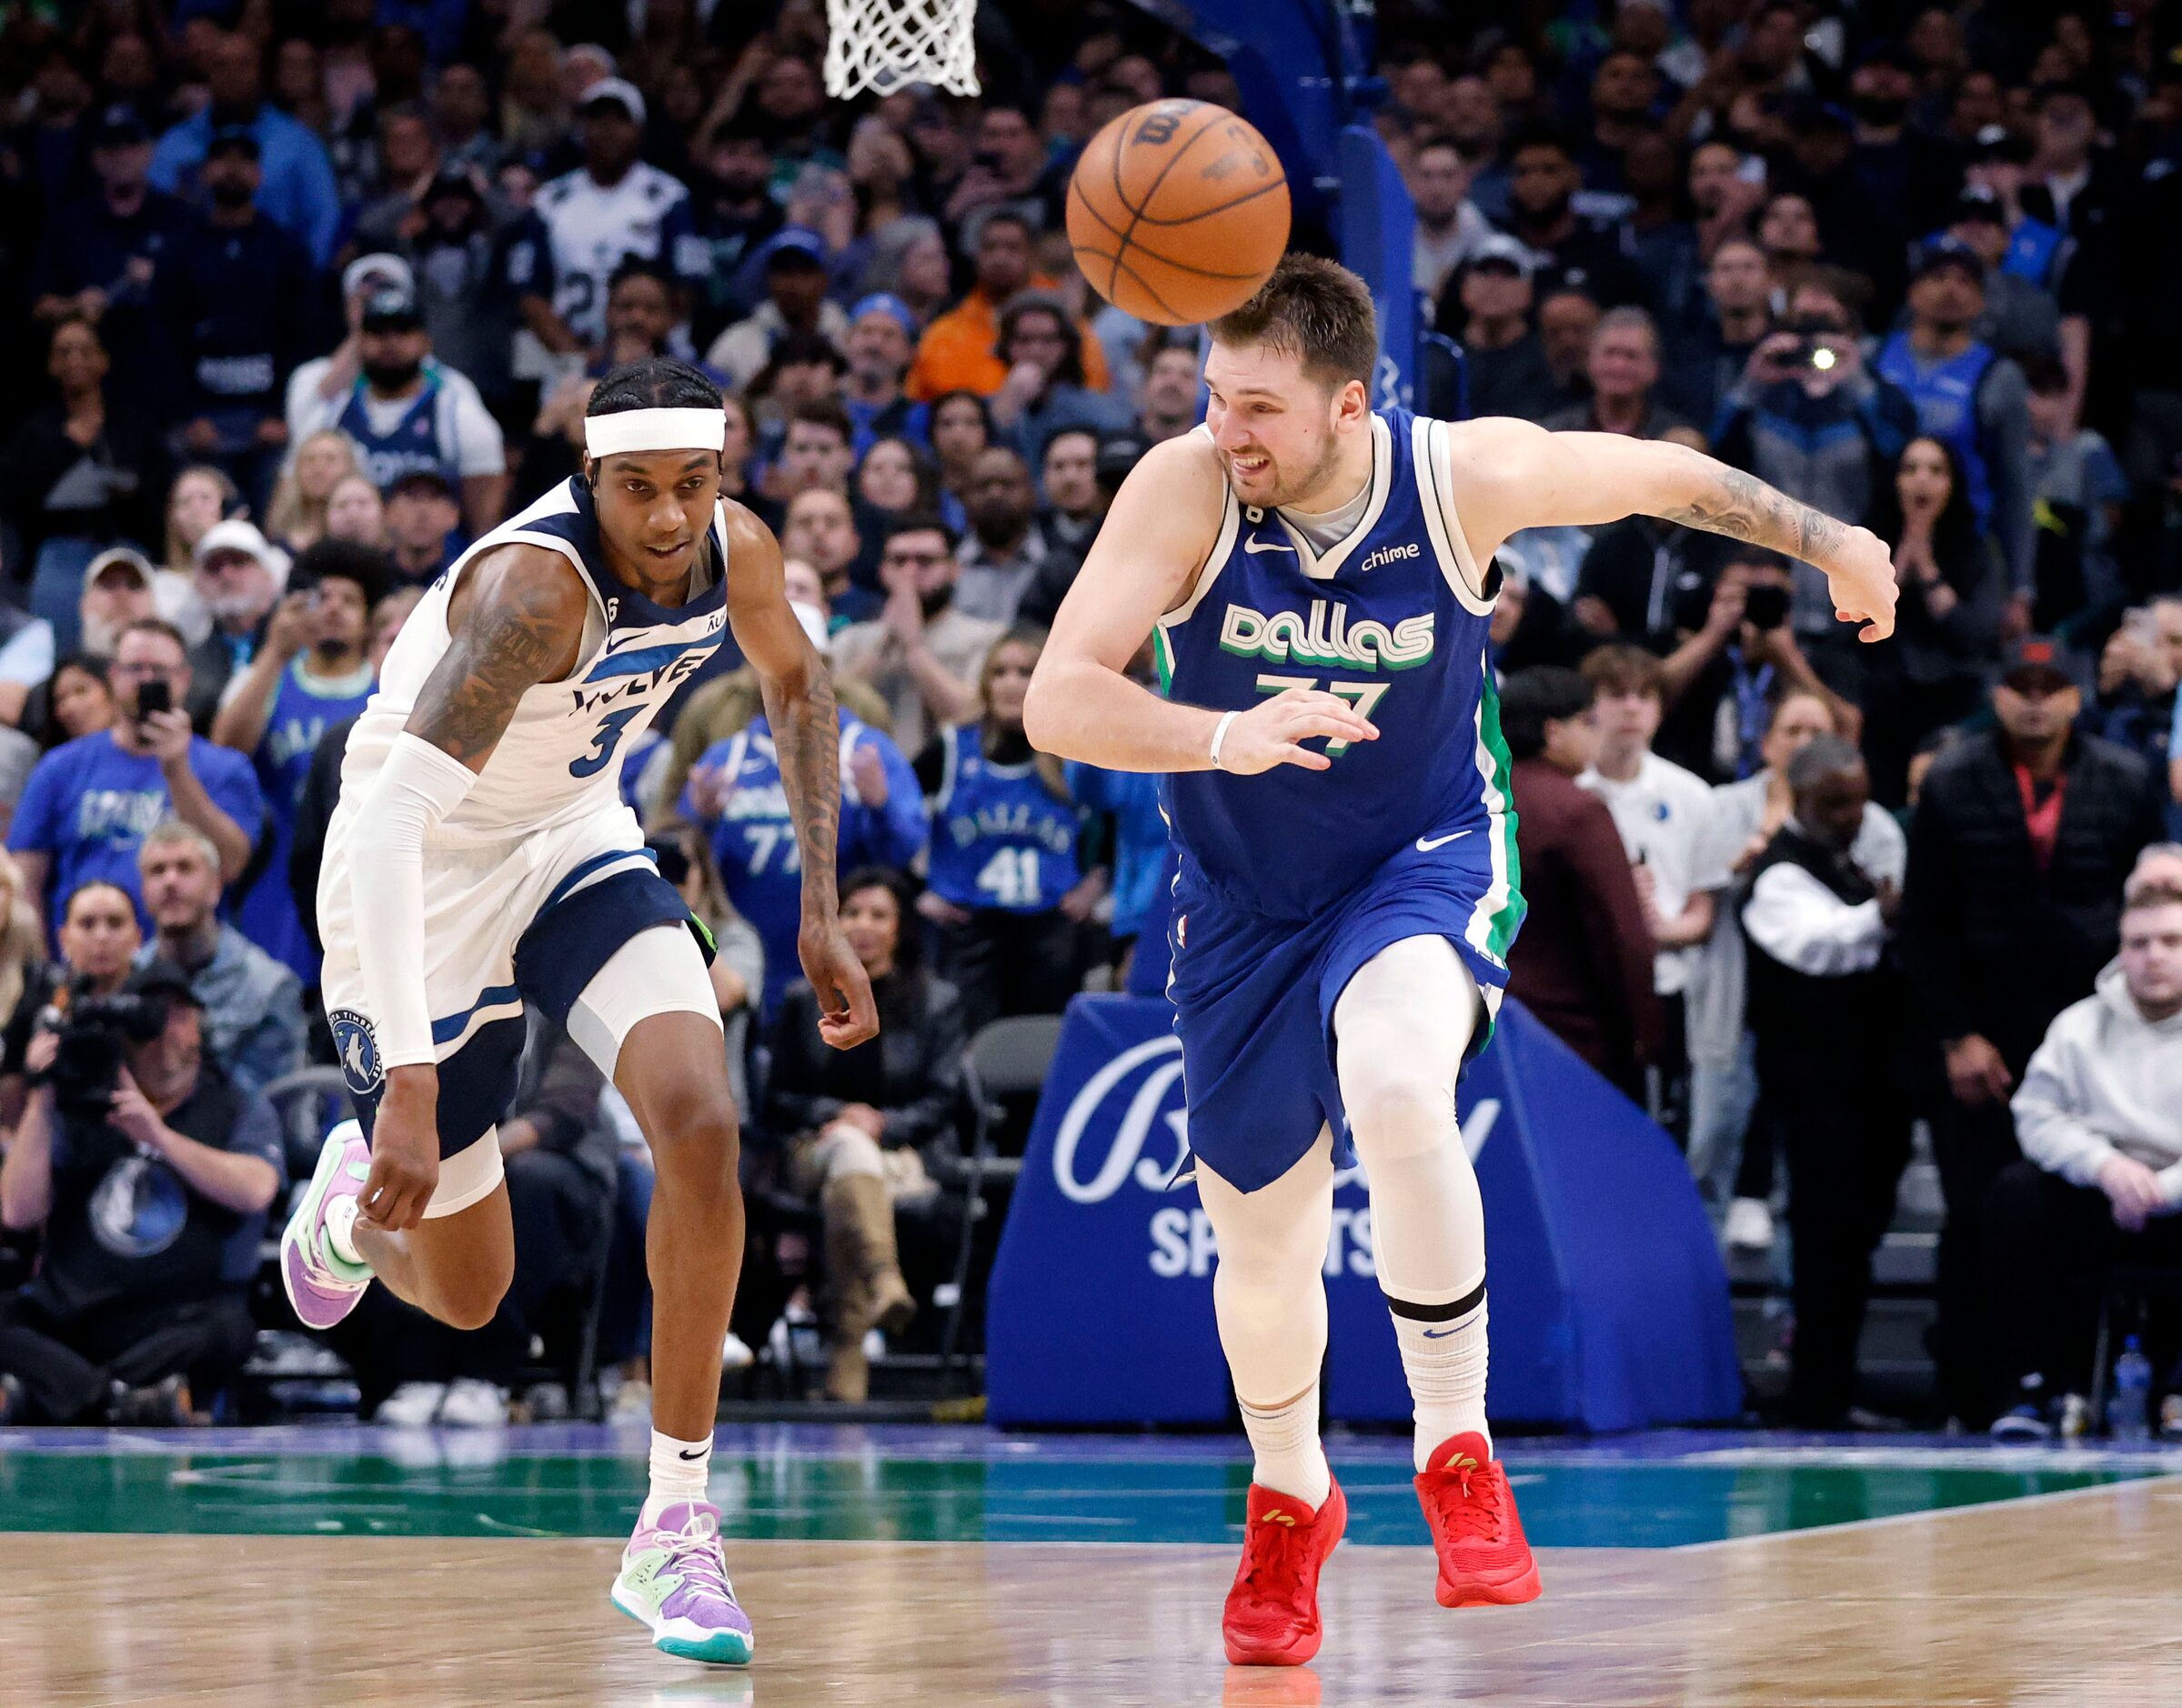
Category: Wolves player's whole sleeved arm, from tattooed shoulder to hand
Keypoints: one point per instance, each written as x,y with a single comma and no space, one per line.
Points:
516,621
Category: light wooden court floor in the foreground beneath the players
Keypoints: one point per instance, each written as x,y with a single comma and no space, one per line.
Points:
2057,1602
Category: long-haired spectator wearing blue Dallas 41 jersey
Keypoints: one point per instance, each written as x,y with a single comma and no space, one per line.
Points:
1005,885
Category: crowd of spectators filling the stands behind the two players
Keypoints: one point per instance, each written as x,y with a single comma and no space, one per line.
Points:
309,298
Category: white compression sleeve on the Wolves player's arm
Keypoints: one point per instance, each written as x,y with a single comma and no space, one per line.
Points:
418,786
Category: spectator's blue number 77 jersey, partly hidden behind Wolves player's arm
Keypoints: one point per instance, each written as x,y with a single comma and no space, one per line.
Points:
756,839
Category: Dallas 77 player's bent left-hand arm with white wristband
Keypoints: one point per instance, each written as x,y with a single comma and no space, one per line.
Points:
1083,703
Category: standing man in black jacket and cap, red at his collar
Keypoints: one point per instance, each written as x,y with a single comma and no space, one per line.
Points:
2019,847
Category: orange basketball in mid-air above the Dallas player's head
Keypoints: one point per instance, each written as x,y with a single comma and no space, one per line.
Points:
1179,213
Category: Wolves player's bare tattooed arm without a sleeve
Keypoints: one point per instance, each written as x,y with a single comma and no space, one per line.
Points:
806,736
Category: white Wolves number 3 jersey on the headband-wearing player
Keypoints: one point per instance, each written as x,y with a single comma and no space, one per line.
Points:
560,756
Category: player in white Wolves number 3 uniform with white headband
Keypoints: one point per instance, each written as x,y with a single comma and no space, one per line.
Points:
481,861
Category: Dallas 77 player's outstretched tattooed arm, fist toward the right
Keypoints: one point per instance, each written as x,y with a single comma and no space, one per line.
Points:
1509,477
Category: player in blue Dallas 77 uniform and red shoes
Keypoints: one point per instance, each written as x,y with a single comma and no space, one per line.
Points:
1319,584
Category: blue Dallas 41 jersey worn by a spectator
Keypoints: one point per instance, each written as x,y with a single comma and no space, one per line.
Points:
1000,837
